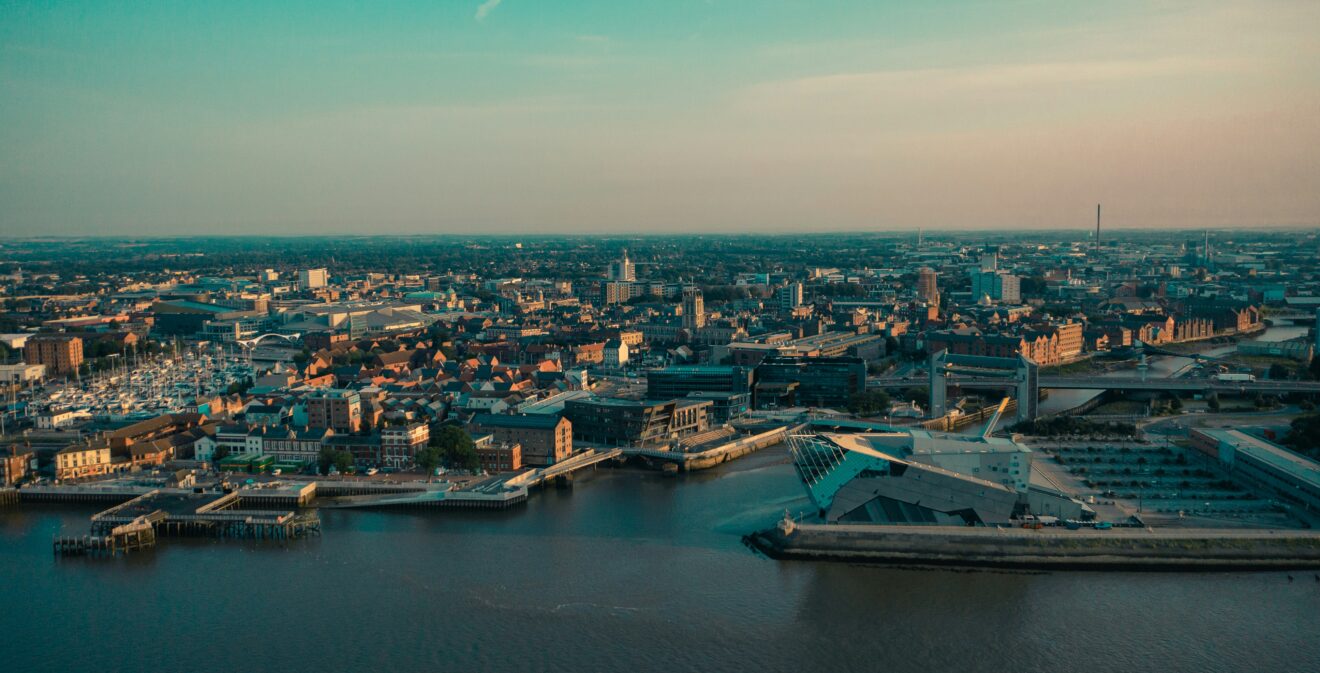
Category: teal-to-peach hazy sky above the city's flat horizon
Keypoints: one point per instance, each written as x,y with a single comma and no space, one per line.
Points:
585,117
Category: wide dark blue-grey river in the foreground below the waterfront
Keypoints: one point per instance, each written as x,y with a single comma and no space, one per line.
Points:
628,572
